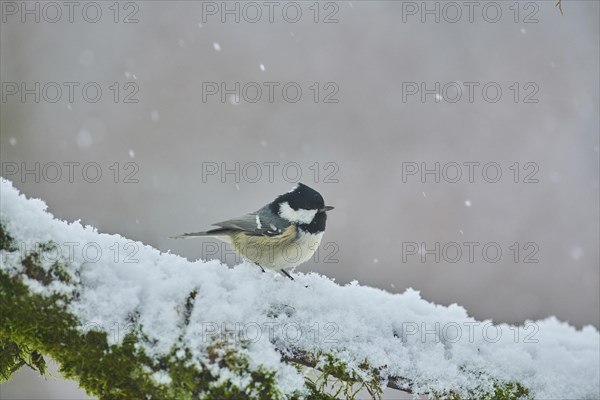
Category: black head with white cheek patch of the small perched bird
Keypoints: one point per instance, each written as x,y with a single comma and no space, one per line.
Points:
302,206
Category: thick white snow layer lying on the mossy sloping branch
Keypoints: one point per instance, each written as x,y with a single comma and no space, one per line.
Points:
403,334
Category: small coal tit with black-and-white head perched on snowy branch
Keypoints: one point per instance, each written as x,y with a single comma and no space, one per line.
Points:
283,234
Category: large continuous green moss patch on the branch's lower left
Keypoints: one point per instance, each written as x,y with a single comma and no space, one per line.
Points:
33,325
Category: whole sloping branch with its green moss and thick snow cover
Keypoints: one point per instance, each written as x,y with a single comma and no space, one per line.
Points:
128,321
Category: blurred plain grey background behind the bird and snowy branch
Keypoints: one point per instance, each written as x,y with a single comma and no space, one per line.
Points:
361,143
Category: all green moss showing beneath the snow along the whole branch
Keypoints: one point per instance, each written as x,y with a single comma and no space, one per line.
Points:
33,325
